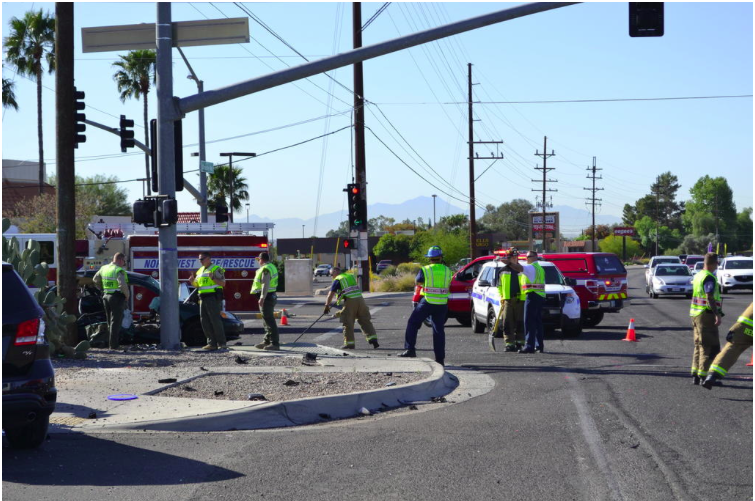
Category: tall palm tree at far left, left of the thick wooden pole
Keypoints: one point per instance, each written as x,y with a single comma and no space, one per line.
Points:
31,40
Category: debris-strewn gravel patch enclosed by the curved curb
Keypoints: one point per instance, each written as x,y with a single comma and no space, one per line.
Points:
287,386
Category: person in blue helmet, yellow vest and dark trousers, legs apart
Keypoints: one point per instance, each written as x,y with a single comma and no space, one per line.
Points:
435,279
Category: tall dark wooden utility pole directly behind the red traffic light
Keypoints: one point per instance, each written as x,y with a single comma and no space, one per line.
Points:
360,157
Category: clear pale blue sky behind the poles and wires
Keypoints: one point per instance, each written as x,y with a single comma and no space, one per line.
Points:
580,52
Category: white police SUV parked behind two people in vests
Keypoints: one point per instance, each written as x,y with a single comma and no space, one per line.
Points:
561,309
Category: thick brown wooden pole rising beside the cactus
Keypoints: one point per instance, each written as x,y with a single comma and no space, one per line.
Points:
65,166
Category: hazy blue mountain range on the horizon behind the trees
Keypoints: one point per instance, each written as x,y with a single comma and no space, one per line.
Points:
572,220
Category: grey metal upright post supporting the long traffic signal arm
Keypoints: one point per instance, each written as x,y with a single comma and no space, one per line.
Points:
170,329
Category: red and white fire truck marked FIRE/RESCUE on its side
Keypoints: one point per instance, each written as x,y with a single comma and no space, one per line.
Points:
230,245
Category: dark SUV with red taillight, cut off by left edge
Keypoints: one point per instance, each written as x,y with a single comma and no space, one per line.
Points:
29,392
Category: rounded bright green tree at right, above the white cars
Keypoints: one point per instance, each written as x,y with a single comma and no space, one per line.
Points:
711,209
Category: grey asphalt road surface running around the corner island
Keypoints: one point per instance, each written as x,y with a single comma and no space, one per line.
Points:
593,418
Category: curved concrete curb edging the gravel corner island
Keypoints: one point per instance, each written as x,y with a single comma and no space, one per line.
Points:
296,412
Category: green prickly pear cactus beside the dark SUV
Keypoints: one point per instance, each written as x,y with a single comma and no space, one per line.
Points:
34,274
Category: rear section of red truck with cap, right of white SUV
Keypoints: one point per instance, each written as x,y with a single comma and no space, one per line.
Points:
599,279
